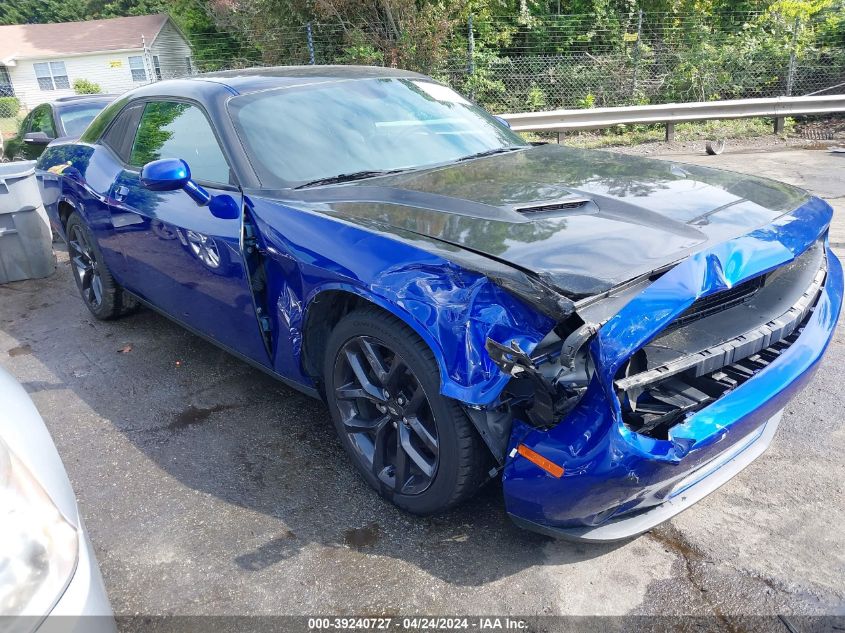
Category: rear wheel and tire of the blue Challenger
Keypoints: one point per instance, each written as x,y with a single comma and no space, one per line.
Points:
100,292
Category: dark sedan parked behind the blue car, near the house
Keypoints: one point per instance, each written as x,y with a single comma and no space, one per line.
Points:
67,116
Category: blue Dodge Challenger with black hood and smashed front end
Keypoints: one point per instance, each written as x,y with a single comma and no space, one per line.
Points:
614,337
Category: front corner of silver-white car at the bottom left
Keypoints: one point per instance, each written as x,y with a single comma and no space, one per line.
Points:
47,565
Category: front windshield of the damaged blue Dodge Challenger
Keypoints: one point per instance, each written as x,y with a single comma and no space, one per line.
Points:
307,133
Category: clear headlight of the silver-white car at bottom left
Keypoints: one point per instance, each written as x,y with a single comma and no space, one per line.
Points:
38,546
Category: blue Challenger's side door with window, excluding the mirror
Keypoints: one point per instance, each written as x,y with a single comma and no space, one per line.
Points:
179,256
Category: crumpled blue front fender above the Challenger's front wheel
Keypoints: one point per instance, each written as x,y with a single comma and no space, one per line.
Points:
452,309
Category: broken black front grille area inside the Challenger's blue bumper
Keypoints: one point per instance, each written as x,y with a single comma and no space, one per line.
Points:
660,392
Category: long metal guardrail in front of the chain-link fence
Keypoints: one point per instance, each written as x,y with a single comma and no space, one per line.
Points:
671,113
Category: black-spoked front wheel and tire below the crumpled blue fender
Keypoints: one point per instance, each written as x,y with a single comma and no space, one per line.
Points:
416,447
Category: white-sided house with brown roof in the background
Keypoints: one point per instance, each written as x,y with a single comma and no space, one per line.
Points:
40,62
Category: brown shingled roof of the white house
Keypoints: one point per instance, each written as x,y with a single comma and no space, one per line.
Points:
21,41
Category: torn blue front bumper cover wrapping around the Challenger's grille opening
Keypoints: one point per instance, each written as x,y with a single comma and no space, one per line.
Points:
613,472
